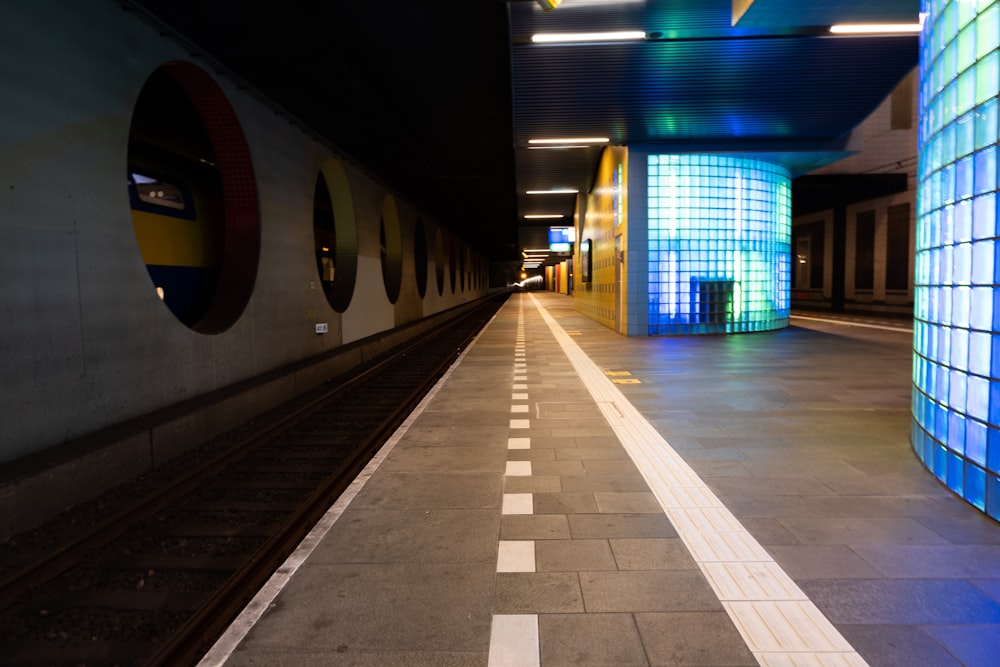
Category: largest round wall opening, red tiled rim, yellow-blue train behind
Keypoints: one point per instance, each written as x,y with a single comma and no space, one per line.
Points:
193,197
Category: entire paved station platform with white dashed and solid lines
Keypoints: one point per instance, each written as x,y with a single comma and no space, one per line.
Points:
569,496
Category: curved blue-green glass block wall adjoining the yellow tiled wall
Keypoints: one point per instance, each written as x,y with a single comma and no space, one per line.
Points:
719,244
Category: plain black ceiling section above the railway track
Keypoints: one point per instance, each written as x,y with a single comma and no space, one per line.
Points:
416,93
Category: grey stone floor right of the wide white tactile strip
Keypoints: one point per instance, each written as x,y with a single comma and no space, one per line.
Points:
803,434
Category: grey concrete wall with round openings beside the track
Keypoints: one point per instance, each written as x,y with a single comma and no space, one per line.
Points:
85,343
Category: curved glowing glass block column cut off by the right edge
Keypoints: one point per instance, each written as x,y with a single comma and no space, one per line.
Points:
956,362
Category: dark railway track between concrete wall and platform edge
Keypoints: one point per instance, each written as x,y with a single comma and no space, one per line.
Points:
153,574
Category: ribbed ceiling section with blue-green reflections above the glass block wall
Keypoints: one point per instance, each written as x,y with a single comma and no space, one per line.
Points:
717,90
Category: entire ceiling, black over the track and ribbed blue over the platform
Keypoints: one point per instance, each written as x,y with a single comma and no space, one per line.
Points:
440,99
